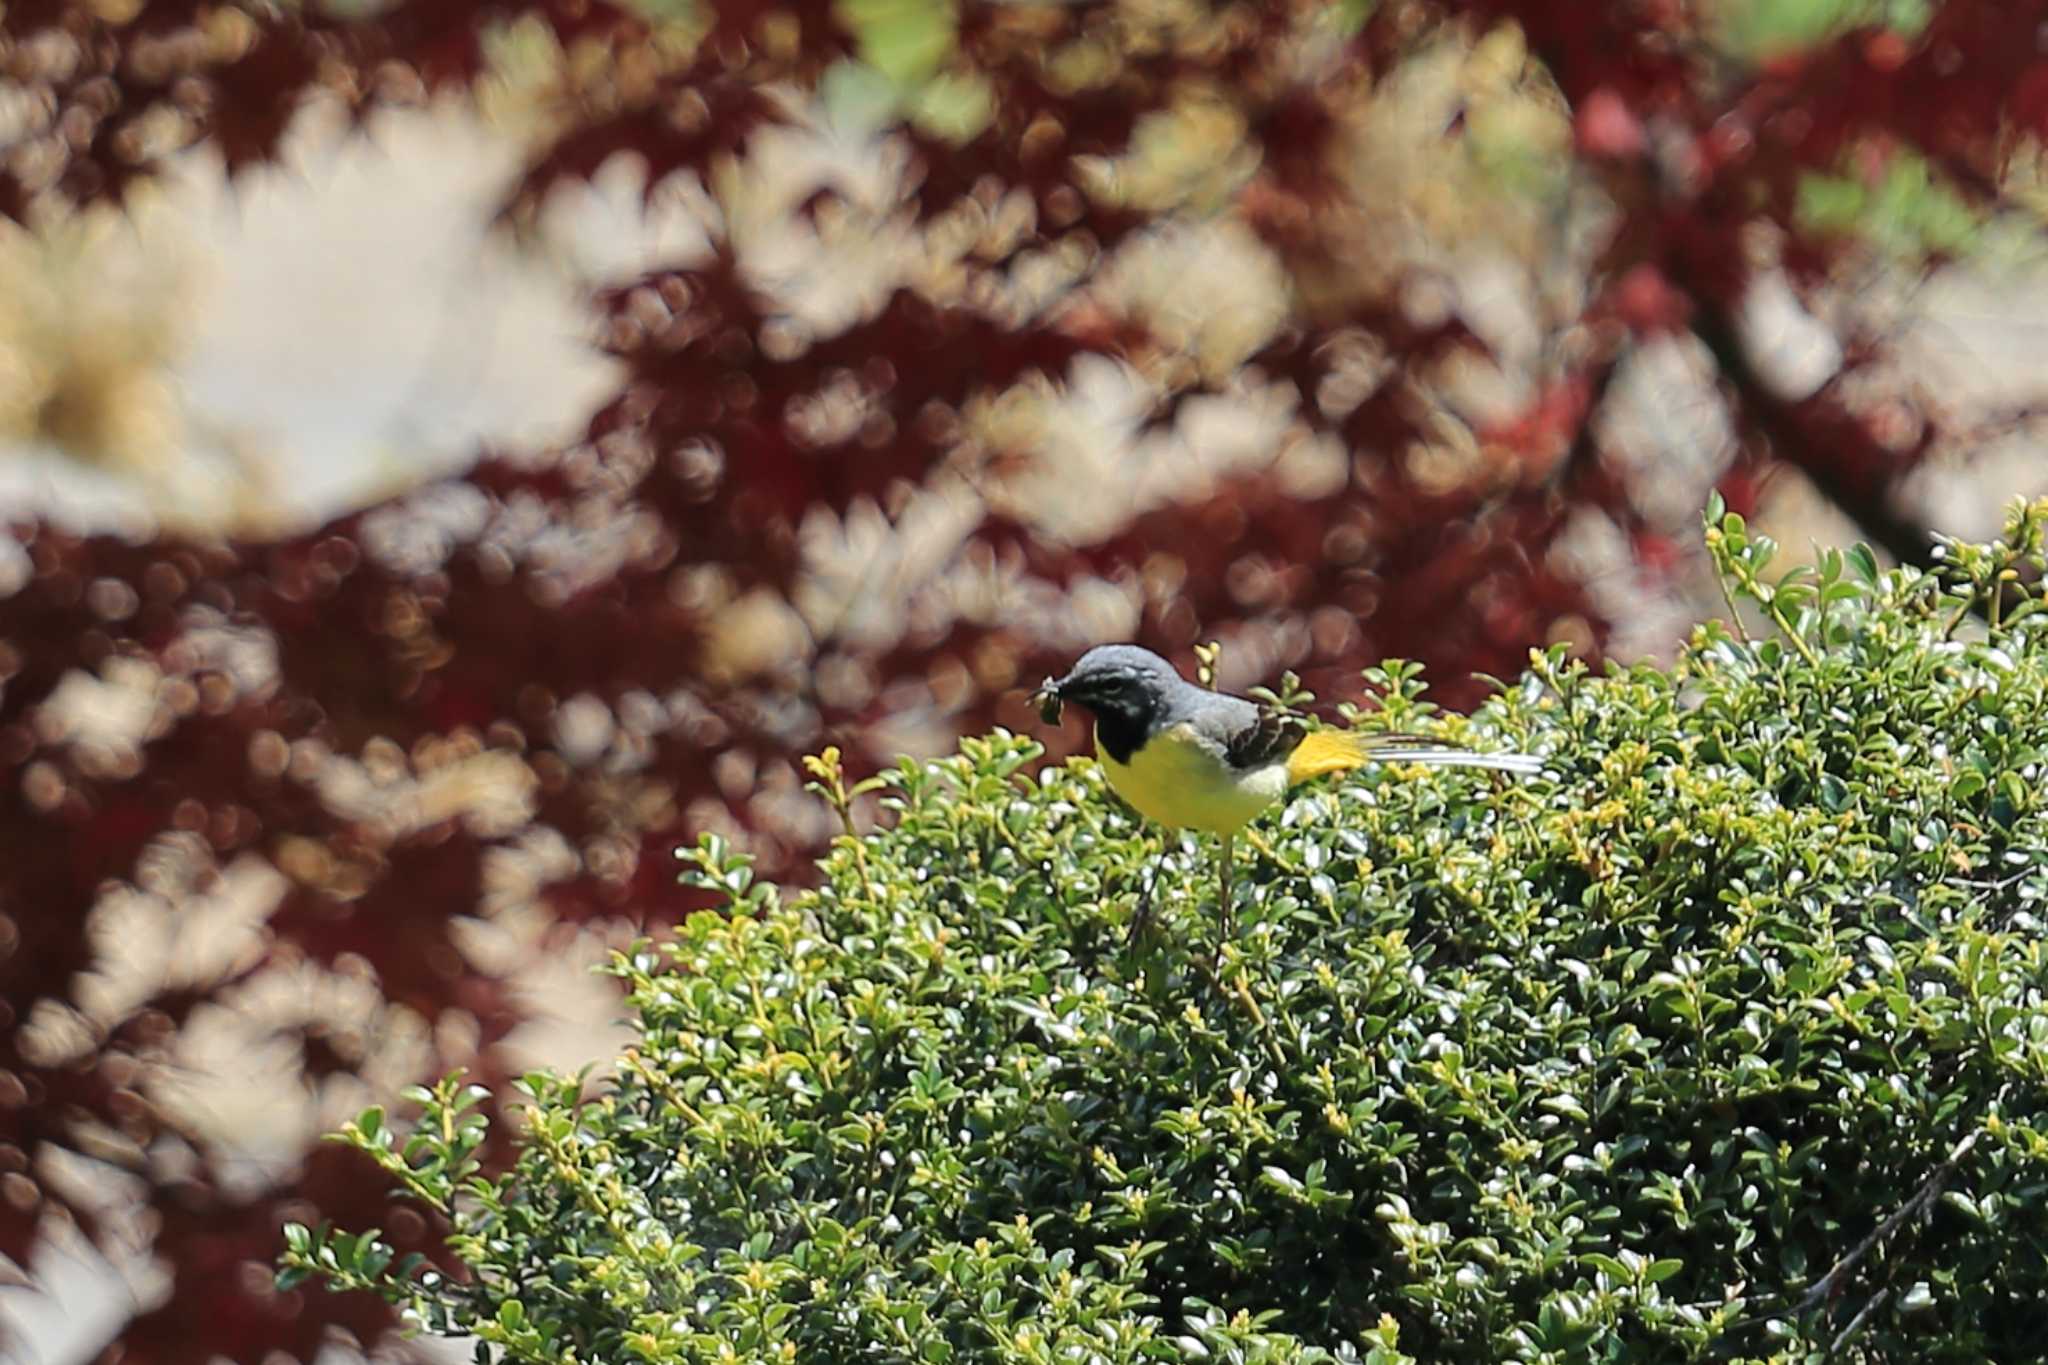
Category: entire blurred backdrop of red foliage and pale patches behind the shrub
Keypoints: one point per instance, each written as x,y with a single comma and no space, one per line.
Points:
454,453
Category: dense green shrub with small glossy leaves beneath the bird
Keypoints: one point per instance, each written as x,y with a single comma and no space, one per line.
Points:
1721,1041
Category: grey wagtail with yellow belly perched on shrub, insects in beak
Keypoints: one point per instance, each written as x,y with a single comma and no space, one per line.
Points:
1207,760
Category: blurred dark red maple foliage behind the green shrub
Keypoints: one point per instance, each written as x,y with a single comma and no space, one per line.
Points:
517,689
